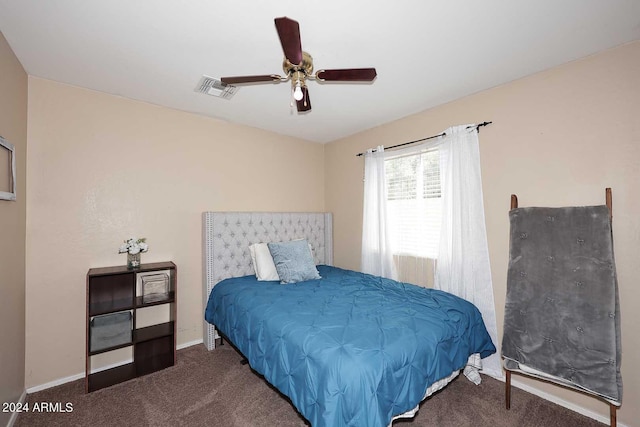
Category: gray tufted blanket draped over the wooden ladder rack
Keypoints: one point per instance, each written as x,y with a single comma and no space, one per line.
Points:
562,317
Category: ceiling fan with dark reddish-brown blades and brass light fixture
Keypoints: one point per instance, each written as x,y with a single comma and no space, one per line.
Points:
298,67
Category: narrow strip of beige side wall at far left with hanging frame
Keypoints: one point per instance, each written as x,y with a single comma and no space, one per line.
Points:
13,127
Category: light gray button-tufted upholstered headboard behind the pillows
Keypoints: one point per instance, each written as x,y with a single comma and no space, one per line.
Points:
227,236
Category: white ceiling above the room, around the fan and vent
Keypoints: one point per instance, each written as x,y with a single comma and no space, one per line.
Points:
426,52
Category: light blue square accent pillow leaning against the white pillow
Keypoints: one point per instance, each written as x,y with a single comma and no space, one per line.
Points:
293,261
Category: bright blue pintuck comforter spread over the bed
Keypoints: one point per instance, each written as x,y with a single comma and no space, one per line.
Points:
349,349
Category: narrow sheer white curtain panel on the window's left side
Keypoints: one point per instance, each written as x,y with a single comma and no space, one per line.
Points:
377,257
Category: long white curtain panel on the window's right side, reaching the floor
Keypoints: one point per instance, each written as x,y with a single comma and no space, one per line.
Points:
463,259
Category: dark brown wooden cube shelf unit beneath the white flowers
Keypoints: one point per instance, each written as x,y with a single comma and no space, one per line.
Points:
113,290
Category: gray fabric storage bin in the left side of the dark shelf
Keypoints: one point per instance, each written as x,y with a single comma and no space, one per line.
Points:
110,330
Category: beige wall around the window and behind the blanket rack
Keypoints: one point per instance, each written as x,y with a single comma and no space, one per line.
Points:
558,138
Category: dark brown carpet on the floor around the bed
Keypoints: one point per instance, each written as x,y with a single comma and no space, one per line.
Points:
213,389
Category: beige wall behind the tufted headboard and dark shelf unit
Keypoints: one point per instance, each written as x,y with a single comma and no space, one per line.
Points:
103,168
